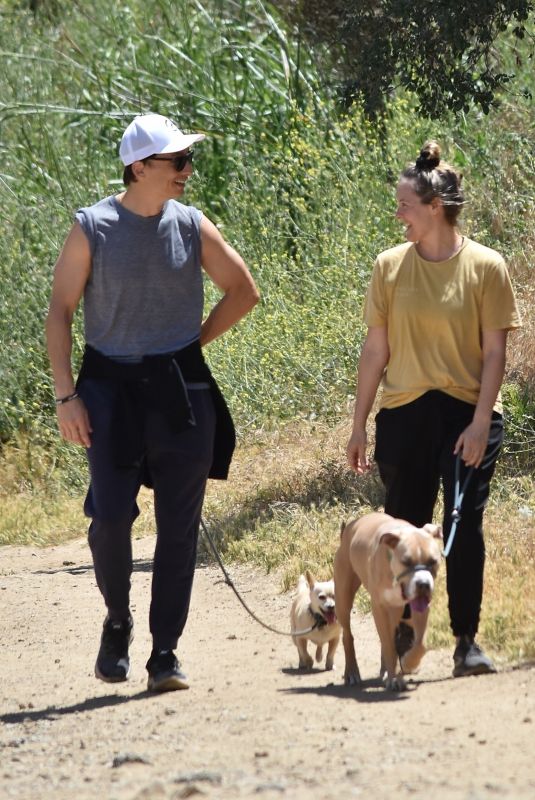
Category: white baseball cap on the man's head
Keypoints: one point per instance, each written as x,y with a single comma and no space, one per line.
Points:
152,134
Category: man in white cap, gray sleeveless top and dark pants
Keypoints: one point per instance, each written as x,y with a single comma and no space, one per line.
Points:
145,404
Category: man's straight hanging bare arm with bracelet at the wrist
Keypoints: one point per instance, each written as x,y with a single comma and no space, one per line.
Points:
70,277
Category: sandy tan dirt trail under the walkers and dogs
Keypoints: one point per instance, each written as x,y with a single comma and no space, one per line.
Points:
251,725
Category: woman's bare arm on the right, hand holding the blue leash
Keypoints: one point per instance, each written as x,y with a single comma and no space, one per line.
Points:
473,440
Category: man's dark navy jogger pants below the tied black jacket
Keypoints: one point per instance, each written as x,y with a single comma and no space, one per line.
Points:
179,464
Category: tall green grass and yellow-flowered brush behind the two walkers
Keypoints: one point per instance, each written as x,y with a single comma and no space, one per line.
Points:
306,195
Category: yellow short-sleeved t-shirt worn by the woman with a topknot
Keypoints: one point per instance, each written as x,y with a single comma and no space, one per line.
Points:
435,313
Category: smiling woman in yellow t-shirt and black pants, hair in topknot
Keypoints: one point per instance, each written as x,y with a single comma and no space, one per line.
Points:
438,310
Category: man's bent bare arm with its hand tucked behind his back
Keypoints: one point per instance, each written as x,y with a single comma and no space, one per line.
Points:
228,271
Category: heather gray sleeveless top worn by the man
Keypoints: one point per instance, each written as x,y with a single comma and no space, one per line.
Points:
144,295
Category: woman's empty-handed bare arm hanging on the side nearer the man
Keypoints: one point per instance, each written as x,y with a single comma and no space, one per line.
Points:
373,360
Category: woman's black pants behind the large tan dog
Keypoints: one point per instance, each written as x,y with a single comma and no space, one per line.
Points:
414,453
